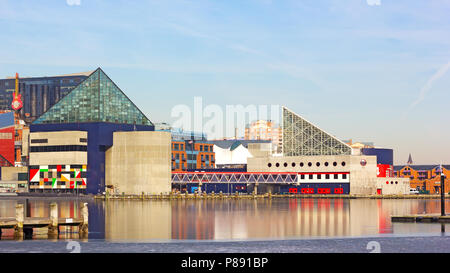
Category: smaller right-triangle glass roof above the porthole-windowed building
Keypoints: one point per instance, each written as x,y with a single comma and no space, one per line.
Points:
300,137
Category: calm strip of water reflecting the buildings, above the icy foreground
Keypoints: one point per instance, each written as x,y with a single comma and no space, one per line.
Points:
235,219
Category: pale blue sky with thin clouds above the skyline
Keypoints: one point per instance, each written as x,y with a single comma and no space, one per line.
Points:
368,70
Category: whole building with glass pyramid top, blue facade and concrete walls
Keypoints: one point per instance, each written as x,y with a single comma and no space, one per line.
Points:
94,139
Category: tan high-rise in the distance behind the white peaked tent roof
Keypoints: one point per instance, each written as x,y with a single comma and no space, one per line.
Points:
265,130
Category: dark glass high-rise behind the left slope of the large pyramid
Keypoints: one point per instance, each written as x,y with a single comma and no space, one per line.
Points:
38,93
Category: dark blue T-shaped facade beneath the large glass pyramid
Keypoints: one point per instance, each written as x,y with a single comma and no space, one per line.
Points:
100,138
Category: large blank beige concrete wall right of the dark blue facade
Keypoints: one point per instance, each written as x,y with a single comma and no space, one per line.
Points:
139,162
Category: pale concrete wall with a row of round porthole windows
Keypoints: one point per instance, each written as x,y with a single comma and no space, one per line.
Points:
363,177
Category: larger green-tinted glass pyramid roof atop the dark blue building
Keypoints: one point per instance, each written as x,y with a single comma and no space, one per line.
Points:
96,99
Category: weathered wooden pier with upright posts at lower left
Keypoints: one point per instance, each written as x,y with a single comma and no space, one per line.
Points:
23,226
